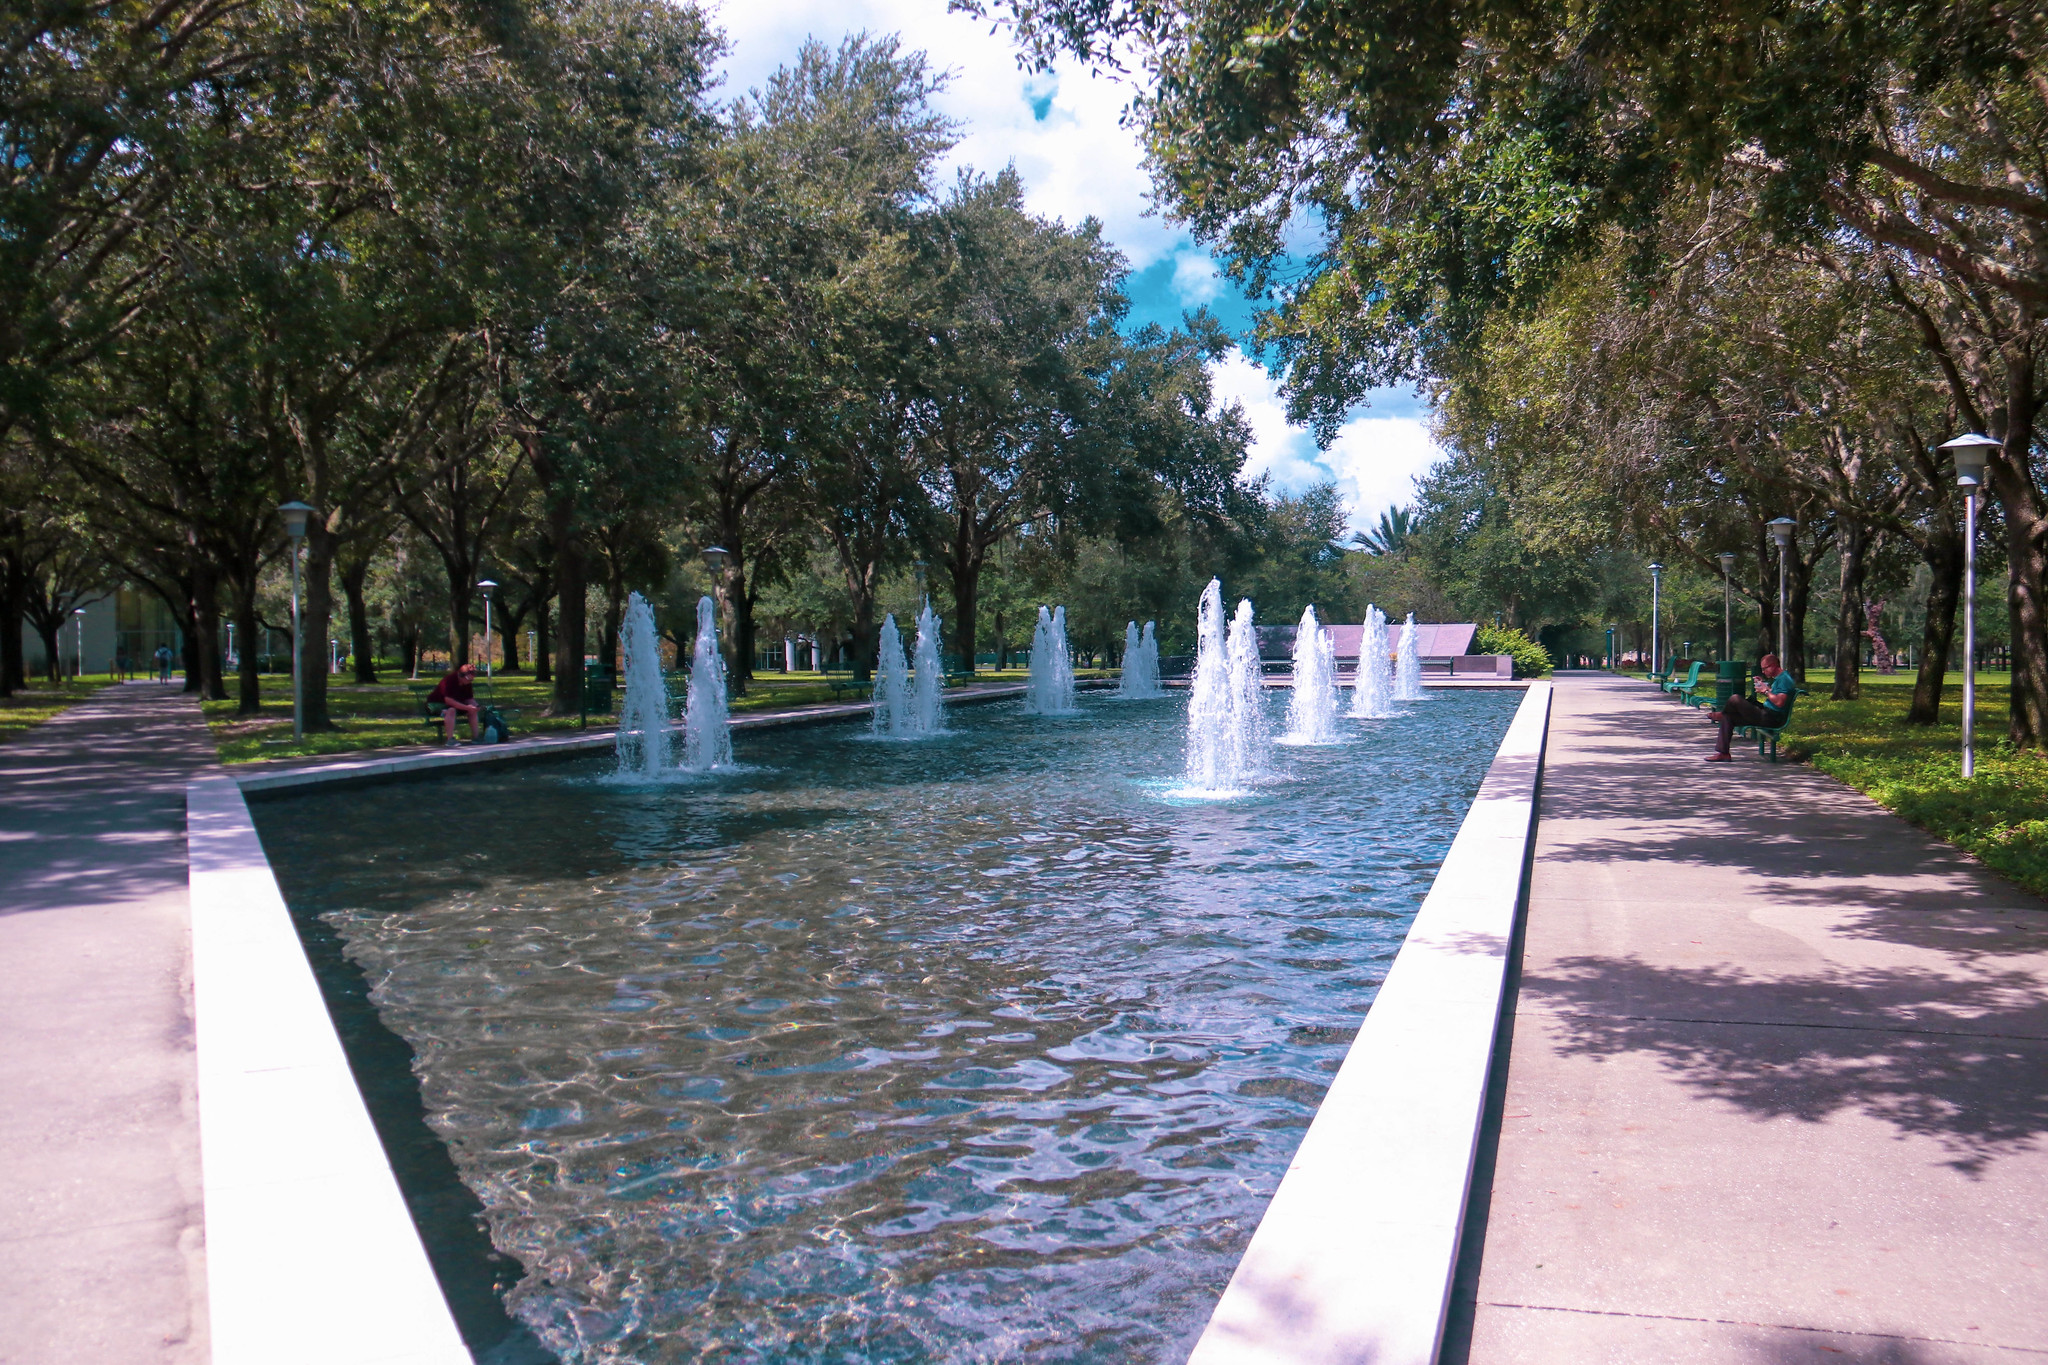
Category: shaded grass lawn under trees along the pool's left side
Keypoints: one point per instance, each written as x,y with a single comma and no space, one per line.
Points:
388,715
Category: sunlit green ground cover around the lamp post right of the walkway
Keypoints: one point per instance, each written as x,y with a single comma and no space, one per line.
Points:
1916,770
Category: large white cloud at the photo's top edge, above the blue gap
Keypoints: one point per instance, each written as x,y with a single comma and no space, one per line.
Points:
1060,130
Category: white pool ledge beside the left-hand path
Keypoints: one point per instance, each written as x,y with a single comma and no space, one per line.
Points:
312,1256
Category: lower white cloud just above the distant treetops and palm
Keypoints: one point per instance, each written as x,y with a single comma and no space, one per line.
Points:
1375,461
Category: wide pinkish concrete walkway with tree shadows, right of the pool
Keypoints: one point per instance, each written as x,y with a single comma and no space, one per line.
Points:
1779,1073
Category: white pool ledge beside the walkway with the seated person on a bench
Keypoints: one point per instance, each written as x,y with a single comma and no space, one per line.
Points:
1357,1253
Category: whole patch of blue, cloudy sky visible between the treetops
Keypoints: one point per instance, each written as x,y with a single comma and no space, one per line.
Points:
1068,142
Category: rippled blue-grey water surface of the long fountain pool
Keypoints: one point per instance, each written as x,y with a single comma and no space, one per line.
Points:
980,1049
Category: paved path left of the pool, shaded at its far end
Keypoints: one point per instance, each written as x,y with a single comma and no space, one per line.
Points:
101,1251
